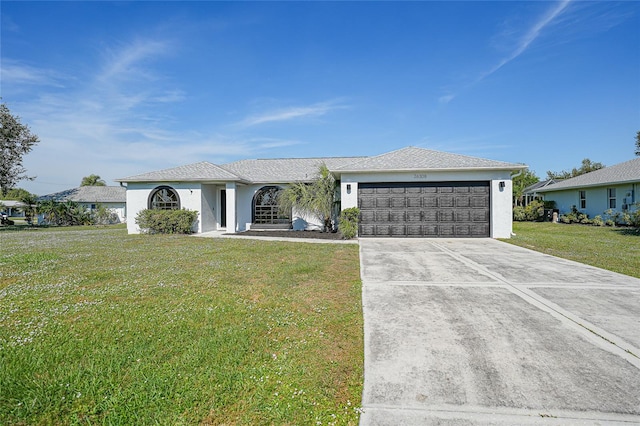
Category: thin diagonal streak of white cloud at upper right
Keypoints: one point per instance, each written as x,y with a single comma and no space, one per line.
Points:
522,43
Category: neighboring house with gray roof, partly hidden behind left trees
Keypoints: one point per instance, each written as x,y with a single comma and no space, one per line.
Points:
113,198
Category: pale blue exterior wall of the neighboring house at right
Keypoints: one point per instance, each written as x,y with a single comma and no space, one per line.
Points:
596,197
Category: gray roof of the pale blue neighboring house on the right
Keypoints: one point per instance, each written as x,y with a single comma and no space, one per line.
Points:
629,171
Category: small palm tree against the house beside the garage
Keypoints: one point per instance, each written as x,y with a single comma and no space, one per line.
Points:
316,198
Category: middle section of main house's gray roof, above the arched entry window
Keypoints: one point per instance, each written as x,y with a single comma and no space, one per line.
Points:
283,170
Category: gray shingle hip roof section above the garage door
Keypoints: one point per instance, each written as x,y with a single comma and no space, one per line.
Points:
413,158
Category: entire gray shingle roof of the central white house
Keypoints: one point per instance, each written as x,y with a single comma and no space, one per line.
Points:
284,170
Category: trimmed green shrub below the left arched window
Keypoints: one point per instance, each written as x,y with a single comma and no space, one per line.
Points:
166,221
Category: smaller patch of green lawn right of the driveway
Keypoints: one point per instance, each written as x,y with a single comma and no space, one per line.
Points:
614,249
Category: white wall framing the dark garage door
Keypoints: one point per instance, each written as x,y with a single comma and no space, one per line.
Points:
501,199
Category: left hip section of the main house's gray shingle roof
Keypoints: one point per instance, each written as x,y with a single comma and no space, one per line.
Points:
203,171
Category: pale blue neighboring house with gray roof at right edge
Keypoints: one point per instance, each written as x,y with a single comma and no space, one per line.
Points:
614,187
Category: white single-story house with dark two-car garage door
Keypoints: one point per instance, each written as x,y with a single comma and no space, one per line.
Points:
412,192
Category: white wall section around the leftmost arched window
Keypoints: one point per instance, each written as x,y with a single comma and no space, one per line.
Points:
190,195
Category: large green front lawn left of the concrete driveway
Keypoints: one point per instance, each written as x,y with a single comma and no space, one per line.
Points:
97,326
